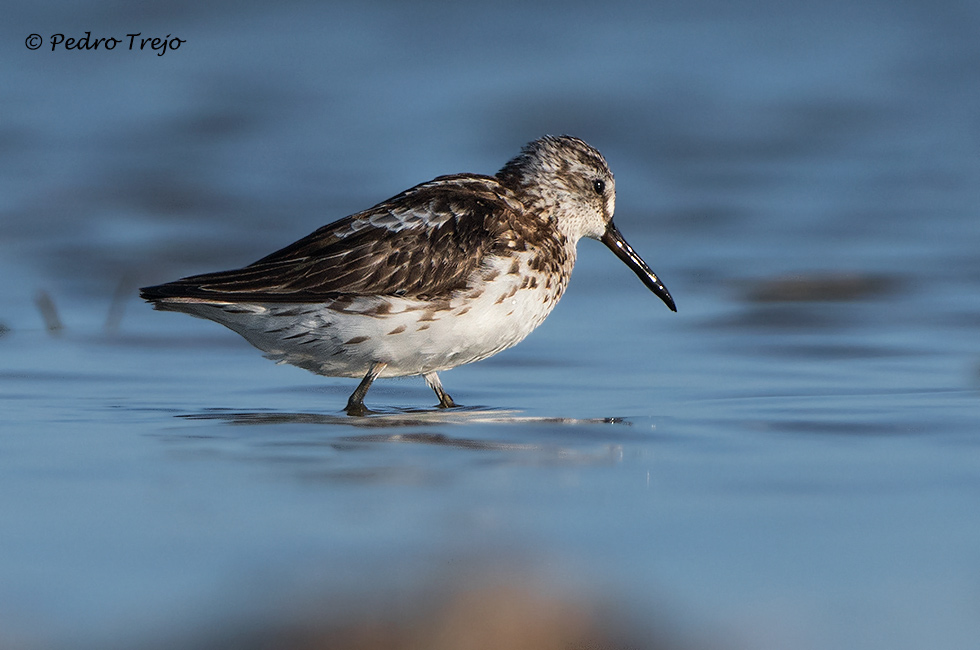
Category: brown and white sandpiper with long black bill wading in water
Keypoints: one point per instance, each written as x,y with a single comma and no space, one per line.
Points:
448,272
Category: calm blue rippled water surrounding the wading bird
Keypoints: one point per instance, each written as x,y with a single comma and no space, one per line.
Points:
790,461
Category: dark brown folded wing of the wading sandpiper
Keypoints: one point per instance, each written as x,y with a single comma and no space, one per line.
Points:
425,242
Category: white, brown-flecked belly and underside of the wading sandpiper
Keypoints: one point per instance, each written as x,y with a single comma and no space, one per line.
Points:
411,336
